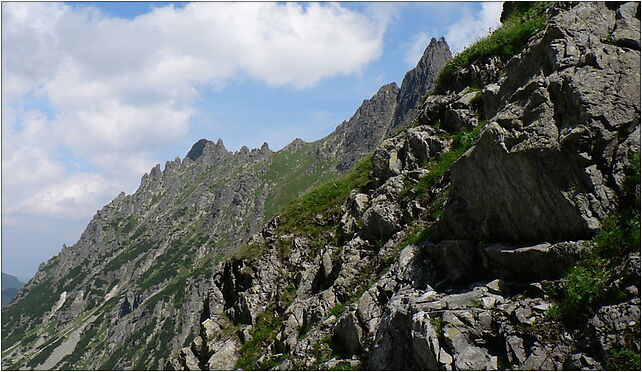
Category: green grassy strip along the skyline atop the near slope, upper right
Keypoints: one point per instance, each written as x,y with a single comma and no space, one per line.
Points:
508,40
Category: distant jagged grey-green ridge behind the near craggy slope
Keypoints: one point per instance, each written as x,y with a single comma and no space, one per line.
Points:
131,292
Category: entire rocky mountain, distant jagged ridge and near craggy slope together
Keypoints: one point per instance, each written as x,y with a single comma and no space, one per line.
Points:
484,215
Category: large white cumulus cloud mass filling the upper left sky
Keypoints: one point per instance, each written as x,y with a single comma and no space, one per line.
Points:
119,89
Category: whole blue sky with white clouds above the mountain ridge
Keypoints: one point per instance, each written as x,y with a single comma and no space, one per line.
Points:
95,94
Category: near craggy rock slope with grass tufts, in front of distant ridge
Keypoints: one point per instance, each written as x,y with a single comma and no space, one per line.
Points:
500,231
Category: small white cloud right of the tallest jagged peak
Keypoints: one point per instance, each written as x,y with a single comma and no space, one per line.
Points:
471,27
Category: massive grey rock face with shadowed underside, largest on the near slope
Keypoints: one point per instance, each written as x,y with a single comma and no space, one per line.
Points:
548,165
